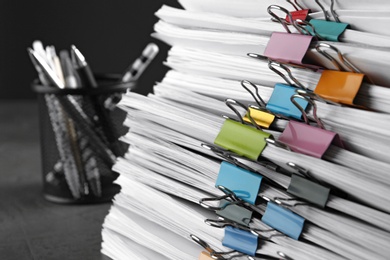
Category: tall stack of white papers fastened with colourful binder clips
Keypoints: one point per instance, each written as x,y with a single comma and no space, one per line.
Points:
243,152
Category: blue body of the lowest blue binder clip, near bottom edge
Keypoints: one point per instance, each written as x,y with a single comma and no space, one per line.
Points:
240,240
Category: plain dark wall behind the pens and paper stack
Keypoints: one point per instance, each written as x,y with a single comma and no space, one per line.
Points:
110,34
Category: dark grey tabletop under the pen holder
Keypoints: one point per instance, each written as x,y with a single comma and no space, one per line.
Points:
30,226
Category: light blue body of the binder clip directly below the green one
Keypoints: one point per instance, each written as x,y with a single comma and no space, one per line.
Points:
243,183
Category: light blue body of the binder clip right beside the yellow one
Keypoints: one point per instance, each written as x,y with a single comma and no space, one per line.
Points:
280,103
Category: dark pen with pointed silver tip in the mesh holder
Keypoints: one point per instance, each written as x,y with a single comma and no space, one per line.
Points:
98,110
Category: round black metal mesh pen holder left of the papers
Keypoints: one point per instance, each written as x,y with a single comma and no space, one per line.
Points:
79,131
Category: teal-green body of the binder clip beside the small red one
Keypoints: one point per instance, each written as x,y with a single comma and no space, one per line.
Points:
327,30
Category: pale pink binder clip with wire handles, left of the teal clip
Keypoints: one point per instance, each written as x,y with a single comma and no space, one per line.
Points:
287,47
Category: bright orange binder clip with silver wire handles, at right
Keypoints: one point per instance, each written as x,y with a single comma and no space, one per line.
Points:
338,86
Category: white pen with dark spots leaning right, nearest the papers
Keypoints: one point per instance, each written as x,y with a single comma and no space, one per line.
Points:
134,71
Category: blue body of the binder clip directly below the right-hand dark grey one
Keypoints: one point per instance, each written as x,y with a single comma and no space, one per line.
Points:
283,220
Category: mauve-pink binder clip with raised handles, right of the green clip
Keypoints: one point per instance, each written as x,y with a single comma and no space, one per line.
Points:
307,139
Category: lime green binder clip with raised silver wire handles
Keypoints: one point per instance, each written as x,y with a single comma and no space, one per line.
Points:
251,141
